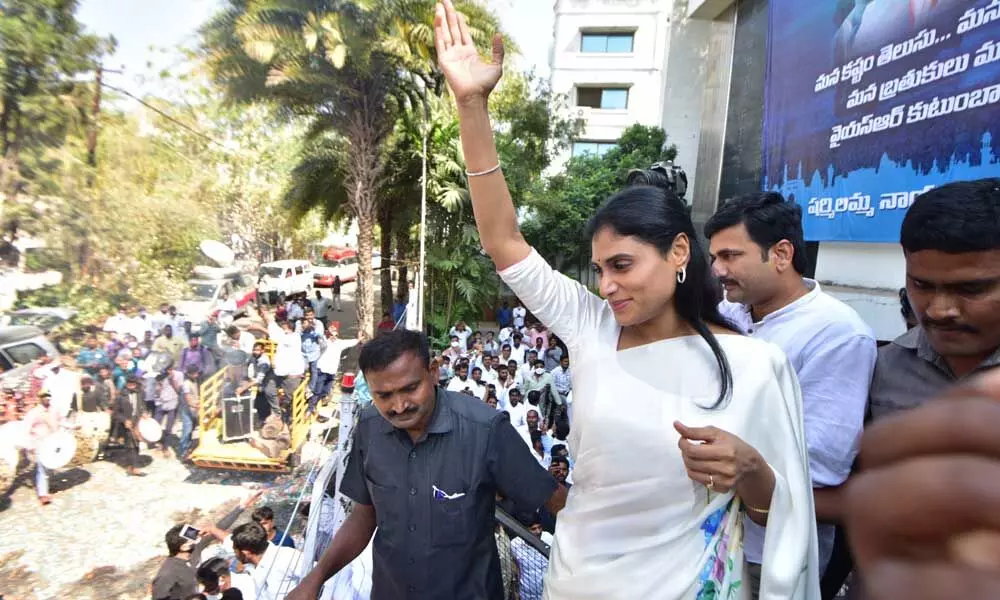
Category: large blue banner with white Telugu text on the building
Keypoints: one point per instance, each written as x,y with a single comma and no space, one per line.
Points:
869,103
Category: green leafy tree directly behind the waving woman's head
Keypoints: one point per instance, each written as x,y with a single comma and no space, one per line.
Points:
559,213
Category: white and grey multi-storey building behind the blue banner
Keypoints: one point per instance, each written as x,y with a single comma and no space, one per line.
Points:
696,68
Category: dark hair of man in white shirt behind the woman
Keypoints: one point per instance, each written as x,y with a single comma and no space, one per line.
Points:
768,218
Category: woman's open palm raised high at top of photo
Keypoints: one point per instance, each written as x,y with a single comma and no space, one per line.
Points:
470,78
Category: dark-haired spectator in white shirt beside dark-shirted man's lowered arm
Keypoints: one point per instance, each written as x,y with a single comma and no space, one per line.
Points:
276,568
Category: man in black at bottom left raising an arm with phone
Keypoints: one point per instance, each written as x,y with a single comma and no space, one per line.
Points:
178,575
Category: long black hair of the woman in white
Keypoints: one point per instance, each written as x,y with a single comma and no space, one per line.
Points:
655,215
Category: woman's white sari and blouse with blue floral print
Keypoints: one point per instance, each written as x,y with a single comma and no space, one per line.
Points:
635,525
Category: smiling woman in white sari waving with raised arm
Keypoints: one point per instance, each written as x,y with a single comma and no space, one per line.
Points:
681,427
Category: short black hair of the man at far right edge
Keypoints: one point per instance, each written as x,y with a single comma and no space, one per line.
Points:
959,217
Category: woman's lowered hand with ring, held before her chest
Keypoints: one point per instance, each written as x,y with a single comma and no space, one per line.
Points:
715,458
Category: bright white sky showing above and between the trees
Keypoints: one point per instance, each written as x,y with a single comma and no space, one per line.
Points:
149,31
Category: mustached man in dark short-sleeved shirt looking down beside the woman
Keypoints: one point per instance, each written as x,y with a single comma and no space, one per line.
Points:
425,468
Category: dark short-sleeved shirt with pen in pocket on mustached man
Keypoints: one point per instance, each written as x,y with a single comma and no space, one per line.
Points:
434,500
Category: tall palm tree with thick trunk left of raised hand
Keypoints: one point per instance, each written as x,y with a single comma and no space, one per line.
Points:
351,67
